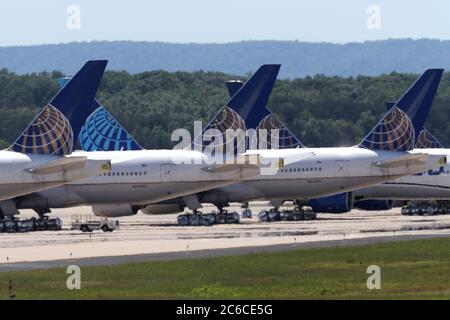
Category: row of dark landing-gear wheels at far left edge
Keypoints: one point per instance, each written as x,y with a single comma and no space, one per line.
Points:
14,225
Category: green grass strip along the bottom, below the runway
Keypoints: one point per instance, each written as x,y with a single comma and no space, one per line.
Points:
409,269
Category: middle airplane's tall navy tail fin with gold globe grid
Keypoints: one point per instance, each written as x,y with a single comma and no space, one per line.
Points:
241,110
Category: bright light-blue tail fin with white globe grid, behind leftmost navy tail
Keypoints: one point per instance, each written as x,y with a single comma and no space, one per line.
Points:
102,132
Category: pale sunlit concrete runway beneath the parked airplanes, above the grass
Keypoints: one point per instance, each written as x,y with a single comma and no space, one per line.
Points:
150,238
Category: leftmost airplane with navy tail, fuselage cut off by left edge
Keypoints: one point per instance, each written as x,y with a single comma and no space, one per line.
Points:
40,157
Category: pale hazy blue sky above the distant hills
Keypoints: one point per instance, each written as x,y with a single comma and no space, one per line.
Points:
24,22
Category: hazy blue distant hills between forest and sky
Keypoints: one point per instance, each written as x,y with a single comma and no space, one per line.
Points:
298,59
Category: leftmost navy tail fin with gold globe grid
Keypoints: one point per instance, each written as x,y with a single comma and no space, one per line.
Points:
56,127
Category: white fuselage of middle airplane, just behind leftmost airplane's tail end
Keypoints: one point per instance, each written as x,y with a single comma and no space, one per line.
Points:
144,176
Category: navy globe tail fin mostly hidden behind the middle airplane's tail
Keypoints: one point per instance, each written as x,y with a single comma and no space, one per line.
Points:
269,121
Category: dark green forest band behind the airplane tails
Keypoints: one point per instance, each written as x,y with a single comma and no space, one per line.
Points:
322,111
